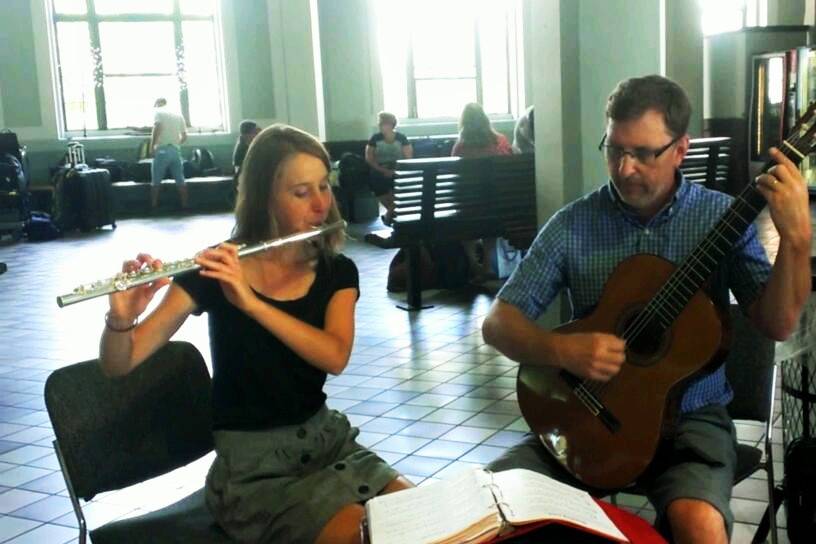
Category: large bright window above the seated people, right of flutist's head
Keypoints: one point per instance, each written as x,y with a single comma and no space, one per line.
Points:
438,55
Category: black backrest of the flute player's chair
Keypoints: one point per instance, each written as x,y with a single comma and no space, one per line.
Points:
115,432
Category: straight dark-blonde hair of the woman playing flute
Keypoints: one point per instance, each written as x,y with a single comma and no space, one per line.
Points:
261,168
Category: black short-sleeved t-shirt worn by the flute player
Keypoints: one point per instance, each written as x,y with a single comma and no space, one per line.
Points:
258,382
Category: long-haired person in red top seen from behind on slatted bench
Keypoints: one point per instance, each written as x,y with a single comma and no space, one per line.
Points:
477,138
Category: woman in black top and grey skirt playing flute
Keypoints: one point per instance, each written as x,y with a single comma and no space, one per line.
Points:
287,468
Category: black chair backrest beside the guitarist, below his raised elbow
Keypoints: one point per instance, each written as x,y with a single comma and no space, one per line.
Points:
750,368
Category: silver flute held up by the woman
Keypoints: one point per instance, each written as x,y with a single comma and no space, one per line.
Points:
128,280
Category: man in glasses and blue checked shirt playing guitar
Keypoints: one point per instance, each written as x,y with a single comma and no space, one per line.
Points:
648,207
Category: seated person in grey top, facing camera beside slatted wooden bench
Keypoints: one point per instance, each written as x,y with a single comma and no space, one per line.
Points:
383,151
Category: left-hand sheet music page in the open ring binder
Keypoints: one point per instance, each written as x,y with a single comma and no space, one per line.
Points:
431,512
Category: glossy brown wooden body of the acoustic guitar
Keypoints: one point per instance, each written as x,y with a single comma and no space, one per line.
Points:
611,448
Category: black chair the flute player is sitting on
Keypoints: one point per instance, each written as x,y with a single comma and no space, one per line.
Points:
116,432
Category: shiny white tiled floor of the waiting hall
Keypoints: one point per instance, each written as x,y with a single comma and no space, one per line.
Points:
426,392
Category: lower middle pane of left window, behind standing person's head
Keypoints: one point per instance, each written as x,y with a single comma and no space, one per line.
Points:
130,99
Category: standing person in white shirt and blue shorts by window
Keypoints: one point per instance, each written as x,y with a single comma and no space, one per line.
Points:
169,132
